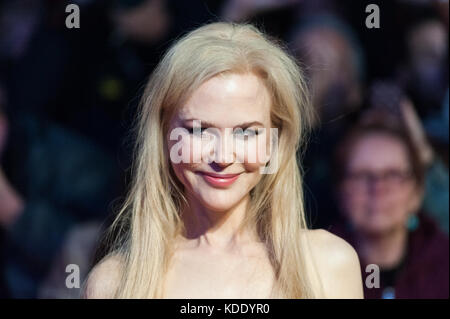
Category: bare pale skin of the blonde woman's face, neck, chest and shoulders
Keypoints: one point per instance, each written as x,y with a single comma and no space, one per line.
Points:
212,260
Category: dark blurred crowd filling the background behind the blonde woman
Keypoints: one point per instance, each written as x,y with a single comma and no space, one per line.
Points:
376,169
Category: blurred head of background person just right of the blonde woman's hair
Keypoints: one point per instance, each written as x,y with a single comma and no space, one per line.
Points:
335,64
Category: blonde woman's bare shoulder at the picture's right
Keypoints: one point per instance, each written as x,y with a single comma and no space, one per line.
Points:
337,264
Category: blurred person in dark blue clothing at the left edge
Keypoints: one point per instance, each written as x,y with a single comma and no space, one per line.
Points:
51,179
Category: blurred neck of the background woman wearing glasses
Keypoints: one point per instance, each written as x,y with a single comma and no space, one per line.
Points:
386,250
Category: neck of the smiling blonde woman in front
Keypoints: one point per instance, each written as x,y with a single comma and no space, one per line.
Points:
216,229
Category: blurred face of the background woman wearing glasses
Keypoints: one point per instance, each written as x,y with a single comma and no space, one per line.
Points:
378,192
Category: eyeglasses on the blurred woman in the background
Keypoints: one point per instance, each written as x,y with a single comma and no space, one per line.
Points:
390,177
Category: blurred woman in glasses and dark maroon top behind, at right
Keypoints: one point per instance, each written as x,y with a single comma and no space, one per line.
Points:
379,176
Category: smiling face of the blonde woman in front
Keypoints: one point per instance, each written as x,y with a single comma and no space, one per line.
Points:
219,163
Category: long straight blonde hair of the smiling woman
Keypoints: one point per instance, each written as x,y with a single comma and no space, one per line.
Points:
149,220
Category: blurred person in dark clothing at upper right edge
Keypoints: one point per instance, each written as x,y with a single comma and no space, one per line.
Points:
425,78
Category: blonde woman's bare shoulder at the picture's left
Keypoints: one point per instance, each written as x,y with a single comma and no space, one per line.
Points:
104,278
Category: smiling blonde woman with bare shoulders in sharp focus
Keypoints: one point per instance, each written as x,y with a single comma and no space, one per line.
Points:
203,218
